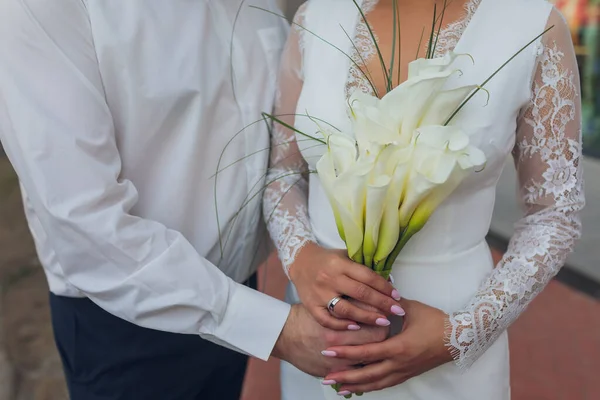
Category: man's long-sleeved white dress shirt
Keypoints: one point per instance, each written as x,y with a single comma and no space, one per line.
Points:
114,115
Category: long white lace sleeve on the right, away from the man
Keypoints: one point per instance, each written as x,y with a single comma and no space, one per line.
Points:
547,155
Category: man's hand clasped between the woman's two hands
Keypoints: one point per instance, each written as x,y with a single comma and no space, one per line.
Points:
303,339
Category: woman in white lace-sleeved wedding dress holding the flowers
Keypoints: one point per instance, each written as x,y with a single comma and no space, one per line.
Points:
456,305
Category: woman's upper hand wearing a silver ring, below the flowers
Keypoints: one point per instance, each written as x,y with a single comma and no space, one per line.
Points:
320,274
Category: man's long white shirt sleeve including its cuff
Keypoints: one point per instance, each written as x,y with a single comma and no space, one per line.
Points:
58,132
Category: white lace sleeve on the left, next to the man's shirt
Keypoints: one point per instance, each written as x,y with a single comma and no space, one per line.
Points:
286,195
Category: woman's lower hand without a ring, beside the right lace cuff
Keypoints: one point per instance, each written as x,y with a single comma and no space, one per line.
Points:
419,348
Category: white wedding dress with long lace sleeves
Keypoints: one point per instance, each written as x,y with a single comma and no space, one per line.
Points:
533,112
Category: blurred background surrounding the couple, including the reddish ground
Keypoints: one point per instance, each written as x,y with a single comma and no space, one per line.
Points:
555,346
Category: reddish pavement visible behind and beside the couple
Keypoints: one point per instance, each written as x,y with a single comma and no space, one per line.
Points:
555,347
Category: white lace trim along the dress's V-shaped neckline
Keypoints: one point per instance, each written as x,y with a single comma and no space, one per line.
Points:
355,79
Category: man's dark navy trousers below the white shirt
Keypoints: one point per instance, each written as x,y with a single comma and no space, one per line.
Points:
107,358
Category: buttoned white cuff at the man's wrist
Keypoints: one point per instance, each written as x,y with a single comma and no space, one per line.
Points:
252,321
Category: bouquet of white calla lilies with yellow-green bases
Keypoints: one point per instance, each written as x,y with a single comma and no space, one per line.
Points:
385,178
